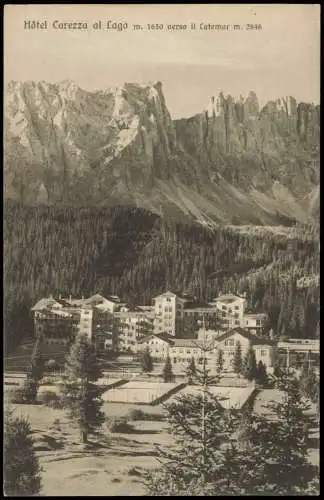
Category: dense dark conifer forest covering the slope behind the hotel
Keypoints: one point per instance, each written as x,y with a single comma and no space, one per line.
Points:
137,255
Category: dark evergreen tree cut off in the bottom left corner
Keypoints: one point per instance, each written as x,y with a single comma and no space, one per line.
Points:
21,468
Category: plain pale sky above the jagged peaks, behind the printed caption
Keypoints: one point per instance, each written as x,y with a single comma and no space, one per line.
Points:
282,58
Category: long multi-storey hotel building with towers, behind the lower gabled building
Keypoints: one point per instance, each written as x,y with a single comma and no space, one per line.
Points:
115,325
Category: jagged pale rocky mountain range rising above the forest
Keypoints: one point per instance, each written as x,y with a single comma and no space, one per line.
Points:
233,163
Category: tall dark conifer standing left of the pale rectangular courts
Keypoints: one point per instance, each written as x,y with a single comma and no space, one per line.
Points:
81,395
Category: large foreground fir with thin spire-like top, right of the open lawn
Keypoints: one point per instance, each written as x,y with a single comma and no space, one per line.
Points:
201,428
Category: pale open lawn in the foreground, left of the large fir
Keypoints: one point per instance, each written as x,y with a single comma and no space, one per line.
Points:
111,463
